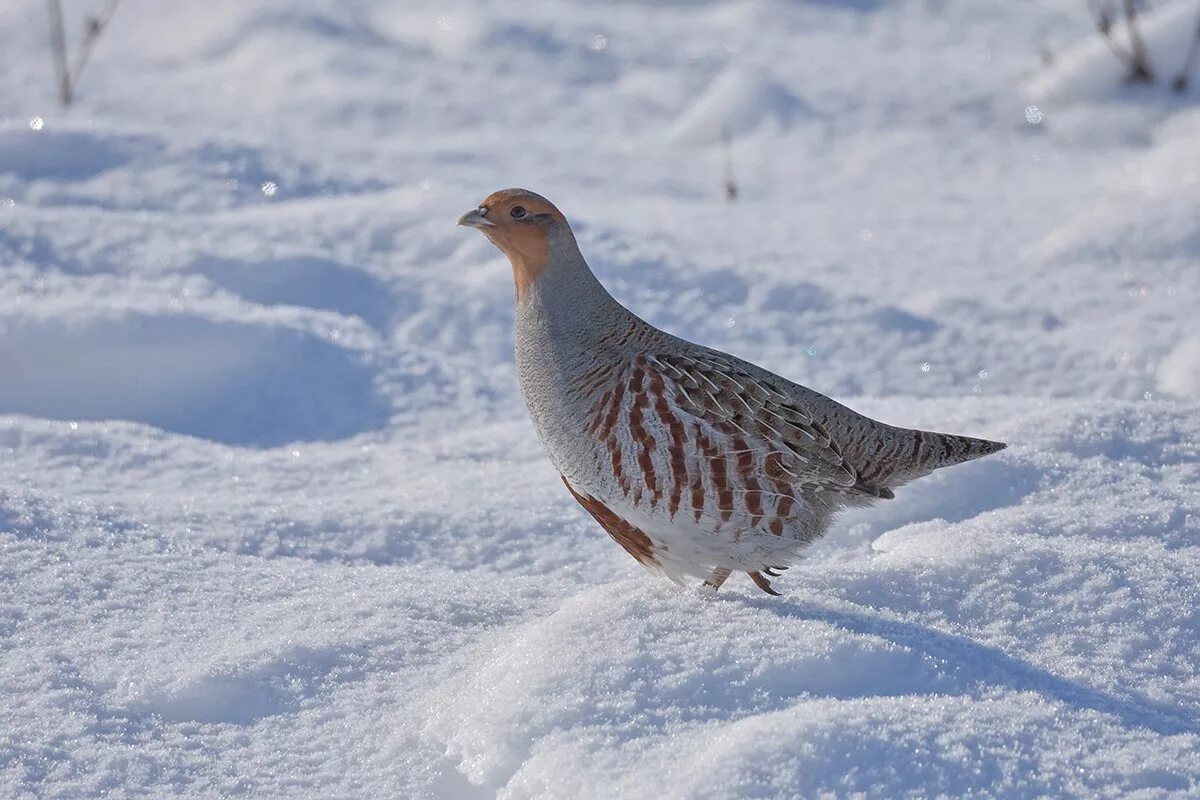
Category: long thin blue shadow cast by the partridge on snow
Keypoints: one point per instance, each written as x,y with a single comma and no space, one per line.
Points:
975,666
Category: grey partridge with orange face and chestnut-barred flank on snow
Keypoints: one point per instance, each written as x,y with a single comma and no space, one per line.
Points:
697,462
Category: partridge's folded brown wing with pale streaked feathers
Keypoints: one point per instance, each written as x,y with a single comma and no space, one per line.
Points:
751,414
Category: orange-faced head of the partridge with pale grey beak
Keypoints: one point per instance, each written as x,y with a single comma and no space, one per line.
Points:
526,227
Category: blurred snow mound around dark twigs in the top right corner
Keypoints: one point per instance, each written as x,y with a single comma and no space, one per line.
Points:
1090,73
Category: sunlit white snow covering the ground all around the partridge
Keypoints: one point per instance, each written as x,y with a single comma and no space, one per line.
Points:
274,522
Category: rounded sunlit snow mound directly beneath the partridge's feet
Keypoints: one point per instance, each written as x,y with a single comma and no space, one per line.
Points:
607,652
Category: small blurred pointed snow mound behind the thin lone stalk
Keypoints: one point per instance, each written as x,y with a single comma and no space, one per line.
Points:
741,101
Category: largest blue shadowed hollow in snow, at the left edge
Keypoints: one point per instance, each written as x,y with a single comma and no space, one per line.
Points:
232,383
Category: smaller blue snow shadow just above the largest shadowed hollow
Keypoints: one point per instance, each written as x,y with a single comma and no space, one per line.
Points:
304,281
